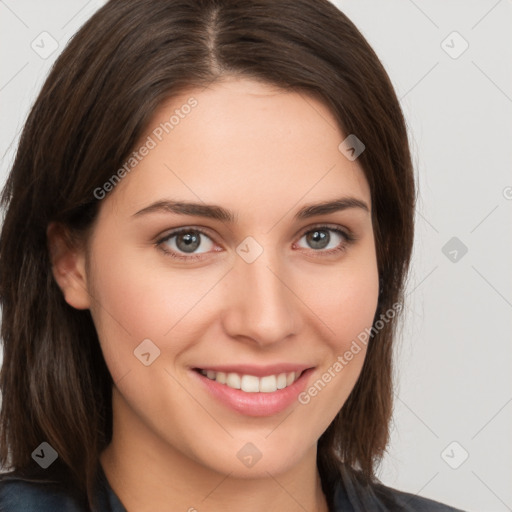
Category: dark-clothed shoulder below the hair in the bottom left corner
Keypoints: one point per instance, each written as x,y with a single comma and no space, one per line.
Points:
22,494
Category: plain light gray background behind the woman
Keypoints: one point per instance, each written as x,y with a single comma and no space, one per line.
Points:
453,395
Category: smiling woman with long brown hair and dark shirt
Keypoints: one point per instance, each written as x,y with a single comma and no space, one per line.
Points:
207,228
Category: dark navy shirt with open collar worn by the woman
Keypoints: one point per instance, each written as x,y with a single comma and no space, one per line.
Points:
22,494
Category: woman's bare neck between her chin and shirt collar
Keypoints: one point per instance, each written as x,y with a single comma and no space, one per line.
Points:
148,474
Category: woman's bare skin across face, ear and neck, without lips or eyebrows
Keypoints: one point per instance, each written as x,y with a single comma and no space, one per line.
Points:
262,153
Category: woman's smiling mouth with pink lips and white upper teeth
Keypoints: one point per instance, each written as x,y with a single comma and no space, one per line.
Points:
269,392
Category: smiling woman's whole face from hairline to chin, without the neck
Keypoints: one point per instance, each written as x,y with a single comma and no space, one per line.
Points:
269,295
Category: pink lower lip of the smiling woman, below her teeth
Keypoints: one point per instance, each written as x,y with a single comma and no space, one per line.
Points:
255,404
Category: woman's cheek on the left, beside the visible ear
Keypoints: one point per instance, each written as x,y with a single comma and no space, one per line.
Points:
134,301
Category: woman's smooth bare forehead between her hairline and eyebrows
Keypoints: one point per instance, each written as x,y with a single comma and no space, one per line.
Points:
246,145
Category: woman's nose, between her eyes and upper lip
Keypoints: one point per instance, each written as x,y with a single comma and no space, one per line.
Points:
261,306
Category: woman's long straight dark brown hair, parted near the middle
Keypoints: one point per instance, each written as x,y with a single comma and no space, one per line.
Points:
94,106
